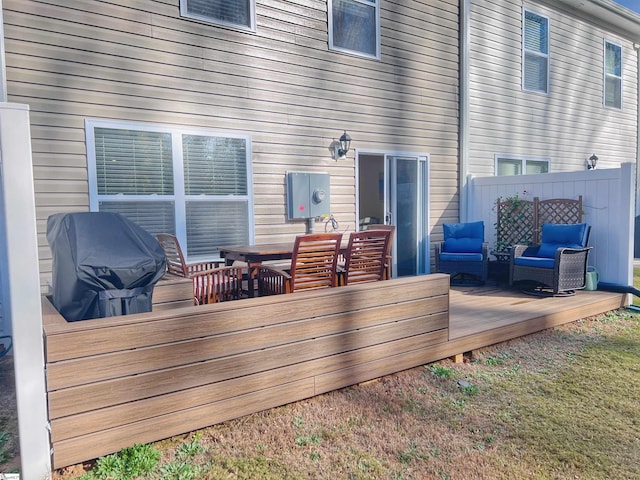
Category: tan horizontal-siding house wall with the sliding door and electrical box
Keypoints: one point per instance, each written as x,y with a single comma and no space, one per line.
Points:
137,60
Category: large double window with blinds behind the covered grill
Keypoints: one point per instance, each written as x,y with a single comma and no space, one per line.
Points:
196,185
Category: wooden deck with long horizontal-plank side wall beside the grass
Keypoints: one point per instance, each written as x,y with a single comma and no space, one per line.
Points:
139,378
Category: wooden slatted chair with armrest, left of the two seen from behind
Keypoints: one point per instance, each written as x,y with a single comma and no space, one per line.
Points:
313,265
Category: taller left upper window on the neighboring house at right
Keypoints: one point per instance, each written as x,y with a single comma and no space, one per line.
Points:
535,48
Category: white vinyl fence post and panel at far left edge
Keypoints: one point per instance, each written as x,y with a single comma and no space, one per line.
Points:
21,275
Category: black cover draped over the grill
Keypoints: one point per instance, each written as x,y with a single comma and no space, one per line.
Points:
103,265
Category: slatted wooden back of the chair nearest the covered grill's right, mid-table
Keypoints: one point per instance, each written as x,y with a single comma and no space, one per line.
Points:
314,261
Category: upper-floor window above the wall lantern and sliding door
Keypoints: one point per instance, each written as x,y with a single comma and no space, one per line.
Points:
354,26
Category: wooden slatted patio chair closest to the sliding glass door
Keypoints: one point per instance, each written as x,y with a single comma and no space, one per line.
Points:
367,257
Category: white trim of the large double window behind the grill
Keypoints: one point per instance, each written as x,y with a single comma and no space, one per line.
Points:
179,198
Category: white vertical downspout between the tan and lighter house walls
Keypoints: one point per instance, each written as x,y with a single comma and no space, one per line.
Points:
463,143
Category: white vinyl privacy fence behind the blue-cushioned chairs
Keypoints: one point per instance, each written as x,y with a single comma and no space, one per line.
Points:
608,197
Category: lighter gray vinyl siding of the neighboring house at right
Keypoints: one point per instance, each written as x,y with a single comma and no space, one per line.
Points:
569,123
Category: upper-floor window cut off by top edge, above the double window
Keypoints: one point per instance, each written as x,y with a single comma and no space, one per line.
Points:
236,13
